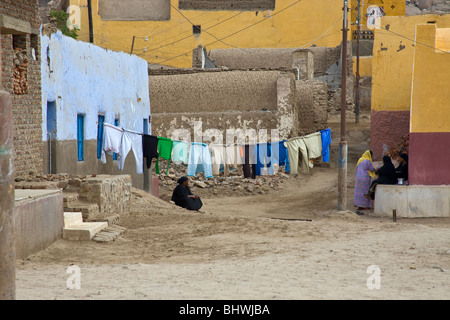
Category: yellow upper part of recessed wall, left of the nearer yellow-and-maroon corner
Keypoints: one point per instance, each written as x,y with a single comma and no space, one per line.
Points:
392,62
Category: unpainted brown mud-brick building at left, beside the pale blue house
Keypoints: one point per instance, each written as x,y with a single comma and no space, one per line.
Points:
21,77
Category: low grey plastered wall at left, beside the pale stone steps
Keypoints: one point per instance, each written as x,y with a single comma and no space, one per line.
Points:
39,220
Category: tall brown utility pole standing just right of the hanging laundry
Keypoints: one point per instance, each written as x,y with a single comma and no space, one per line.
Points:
343,148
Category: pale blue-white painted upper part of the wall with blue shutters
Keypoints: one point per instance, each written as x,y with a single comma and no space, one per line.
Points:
84,78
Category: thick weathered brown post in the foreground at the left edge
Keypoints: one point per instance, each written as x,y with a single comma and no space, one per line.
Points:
7,233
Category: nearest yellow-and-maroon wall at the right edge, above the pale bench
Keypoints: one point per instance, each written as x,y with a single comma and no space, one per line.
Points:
429,138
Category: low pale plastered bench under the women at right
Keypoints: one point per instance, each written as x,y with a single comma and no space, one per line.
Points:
412,201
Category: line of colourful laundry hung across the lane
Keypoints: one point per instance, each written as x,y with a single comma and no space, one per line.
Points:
253,157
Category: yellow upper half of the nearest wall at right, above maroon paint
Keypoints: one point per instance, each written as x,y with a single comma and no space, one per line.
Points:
430,100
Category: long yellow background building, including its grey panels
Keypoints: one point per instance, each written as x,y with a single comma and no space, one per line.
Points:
165,32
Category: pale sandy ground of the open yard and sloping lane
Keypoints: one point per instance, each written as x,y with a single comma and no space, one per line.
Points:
288,244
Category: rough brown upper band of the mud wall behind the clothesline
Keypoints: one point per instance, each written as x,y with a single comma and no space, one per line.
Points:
215,91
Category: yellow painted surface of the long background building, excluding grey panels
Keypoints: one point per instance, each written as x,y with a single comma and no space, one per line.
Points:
296,26
